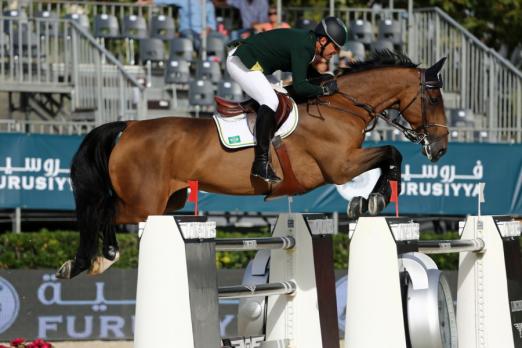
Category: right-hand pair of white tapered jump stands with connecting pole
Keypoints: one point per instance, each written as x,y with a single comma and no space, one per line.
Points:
489,297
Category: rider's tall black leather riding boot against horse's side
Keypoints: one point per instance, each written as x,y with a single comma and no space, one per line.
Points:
265,124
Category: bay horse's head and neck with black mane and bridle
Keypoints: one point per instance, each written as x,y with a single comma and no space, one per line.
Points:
414,92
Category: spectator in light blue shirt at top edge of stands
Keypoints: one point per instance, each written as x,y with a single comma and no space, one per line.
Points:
189,15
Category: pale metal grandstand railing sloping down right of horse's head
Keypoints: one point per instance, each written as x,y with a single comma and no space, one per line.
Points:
476,77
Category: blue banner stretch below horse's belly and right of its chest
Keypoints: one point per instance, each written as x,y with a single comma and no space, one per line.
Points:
447,187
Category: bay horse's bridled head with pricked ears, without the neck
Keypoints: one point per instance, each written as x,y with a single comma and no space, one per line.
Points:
424,110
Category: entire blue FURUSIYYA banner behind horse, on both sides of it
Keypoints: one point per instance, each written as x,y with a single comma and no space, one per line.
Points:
34,174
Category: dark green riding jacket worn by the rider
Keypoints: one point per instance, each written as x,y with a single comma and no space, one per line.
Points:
282,49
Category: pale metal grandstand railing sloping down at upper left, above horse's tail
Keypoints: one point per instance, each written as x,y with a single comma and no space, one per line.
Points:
59,56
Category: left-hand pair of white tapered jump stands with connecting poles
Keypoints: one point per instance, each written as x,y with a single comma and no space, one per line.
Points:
177,293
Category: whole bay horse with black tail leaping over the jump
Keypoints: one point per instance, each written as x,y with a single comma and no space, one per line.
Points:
125,171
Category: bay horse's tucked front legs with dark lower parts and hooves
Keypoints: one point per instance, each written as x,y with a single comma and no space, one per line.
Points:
389,159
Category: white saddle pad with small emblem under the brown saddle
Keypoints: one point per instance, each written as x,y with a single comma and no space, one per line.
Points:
234,132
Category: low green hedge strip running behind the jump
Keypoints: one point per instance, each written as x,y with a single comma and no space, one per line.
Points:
47,249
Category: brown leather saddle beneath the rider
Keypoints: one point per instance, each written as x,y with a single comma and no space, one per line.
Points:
228,108
